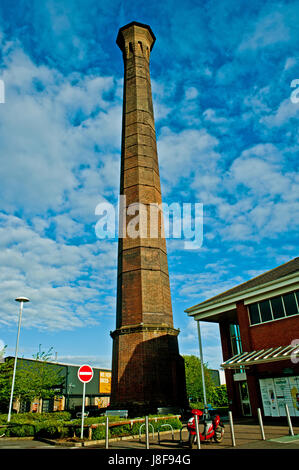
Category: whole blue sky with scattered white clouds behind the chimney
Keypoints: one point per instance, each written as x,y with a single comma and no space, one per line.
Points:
227,135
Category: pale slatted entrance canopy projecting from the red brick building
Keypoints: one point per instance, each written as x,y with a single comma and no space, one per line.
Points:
247,359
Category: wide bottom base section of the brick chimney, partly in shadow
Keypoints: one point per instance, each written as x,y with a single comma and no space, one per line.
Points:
147,369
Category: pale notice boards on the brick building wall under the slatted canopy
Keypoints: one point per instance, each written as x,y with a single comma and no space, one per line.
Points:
277,392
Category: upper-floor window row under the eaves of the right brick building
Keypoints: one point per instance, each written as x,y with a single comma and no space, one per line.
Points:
275,308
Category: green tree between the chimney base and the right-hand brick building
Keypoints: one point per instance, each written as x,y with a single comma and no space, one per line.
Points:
194,379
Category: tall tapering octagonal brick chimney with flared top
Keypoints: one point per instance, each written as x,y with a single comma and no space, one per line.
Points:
147,370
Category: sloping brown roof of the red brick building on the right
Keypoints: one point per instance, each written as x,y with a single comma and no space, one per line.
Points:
274,274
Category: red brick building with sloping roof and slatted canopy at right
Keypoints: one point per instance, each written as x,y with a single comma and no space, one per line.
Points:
259,329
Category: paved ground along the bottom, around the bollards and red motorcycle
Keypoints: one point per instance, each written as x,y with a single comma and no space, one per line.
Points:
247,436
